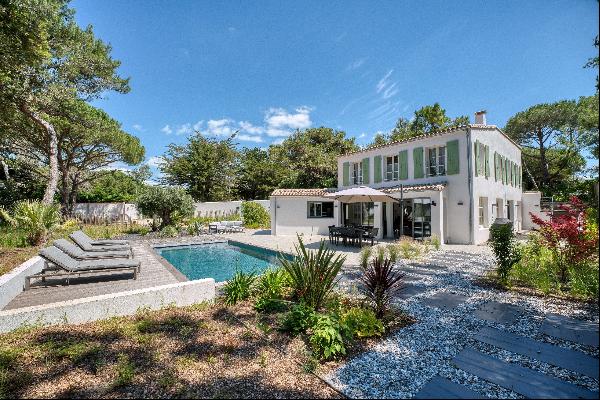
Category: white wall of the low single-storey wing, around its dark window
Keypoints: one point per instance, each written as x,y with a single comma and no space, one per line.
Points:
289,215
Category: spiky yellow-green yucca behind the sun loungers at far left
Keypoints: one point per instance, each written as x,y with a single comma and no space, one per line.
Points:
37,219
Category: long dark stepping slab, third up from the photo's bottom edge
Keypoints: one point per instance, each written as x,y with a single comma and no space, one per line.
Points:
565,358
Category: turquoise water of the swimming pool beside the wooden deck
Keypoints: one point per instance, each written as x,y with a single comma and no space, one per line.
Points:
218,260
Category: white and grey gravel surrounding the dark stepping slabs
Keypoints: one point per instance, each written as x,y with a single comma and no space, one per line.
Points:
401,365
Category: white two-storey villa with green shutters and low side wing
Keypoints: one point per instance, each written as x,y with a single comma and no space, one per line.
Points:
452,183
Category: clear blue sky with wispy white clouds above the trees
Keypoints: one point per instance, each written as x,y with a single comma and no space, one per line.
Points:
269,67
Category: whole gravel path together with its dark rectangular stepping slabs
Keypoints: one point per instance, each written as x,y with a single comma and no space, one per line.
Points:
471,341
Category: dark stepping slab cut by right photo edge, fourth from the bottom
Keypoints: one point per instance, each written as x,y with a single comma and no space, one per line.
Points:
574,330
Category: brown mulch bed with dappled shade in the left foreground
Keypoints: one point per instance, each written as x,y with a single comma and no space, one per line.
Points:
199,351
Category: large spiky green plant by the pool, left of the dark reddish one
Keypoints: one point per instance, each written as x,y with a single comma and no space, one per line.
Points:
312,273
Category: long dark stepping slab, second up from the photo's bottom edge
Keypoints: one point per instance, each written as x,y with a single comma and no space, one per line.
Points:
524,381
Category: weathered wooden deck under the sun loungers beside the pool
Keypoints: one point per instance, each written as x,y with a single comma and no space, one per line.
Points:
154,271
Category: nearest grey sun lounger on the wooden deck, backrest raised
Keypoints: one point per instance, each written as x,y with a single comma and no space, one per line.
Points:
67,267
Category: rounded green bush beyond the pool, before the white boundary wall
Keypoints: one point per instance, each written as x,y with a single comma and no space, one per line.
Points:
168,204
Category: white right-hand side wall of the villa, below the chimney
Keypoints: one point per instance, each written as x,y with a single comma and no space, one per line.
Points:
499,199
